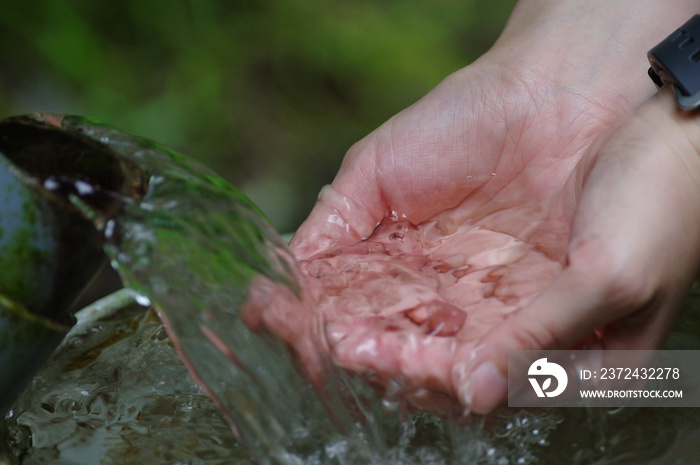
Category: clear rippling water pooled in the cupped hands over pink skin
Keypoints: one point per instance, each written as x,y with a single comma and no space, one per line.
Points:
403,303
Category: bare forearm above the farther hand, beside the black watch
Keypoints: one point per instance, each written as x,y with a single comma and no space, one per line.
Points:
597,48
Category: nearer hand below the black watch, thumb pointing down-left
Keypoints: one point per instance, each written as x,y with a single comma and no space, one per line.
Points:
632,255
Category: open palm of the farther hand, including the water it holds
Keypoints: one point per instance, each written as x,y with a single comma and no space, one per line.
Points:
486,175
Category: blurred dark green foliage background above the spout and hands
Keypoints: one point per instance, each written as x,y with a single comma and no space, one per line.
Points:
269,93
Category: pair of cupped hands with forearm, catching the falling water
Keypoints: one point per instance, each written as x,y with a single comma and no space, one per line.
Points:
484,217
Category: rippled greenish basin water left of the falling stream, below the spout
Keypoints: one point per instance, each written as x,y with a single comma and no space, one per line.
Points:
116,390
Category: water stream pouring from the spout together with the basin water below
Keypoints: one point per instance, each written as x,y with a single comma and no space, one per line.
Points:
199,256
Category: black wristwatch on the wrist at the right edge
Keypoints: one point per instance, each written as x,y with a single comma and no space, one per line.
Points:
676,61
